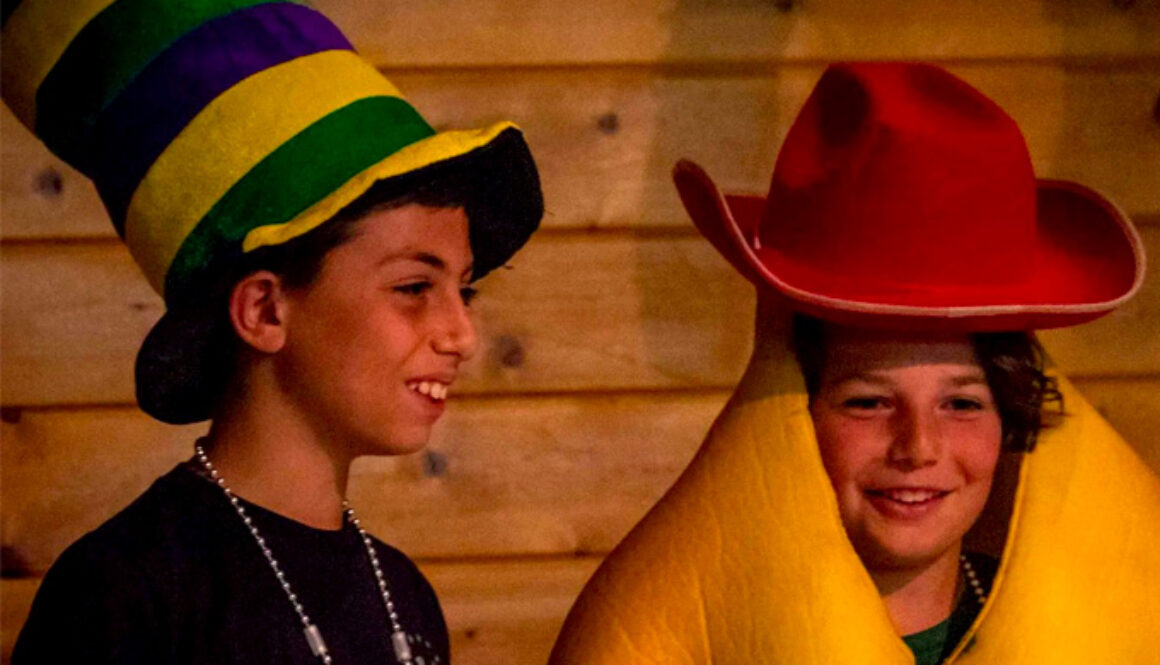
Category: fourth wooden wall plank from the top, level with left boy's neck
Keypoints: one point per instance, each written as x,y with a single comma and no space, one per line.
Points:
503,476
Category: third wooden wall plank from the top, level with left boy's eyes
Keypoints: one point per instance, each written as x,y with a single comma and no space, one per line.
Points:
577,313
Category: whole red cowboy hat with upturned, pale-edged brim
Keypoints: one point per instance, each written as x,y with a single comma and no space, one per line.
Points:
904,198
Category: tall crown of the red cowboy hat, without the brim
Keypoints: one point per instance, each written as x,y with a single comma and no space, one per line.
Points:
913,150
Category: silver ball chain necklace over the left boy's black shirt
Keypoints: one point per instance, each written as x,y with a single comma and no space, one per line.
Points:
311,632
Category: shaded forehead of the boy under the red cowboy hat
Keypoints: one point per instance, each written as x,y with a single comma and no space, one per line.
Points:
851,350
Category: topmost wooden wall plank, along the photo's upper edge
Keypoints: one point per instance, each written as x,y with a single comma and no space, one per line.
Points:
504,33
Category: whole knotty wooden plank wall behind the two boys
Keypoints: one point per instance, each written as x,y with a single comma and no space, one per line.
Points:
613,343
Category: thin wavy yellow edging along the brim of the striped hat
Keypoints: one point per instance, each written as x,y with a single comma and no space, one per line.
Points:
439,148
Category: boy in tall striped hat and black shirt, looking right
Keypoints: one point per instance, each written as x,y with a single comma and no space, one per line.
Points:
315,242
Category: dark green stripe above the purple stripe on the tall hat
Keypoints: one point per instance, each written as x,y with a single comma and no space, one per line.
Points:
107,55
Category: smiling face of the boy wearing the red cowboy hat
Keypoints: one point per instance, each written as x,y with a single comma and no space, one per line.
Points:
910,437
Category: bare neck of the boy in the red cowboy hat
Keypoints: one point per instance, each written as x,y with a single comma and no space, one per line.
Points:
923,597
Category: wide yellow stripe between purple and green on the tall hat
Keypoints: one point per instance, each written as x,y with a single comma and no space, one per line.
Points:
229,138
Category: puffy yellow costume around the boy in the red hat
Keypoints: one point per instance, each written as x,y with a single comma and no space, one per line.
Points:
745,560
